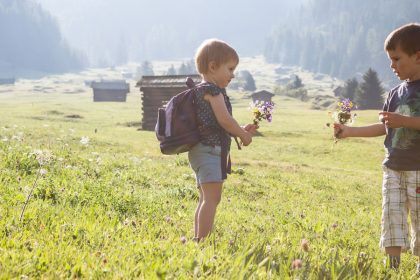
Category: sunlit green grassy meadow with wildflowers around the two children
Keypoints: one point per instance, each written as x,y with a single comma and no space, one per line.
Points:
105,203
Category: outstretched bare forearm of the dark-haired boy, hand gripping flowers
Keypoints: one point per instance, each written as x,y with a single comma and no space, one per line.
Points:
343,131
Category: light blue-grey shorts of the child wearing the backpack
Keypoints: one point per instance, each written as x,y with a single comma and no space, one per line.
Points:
205,161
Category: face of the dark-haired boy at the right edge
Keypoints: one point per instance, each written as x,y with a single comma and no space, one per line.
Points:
406,67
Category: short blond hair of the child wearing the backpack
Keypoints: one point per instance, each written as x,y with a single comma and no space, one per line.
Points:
213,50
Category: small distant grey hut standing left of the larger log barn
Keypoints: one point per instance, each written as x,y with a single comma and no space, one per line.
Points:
110,91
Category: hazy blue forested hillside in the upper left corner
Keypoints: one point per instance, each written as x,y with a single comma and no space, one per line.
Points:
31,39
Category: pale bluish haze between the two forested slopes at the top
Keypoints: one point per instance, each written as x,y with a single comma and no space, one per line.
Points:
159,29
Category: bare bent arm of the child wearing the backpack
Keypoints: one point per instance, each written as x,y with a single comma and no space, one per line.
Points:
225,120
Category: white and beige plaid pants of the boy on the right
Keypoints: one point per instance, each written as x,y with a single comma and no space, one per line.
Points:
400,198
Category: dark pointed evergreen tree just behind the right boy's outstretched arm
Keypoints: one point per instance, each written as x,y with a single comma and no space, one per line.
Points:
370,91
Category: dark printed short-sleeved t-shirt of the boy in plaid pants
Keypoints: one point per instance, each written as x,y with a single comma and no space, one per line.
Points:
402,145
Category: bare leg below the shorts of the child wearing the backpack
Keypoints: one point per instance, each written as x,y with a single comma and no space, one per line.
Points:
212,193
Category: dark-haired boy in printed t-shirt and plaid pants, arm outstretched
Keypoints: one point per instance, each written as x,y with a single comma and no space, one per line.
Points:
400,122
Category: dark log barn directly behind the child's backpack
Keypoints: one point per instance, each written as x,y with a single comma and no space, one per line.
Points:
157,91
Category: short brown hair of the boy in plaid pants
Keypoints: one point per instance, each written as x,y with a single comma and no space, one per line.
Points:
407,37
